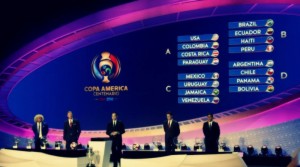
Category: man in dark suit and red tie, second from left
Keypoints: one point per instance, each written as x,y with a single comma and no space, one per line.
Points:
72,130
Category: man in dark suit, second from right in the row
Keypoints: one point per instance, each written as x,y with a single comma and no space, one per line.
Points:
172,131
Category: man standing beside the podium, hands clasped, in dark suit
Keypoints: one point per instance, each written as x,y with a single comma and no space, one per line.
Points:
115,129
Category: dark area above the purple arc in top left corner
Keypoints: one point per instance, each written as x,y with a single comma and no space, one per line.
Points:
24,21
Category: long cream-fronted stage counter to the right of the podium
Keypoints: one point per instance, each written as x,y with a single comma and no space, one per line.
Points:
183,159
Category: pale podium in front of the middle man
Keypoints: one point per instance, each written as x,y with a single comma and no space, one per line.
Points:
101,148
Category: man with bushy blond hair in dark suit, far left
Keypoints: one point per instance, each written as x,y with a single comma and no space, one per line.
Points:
40,130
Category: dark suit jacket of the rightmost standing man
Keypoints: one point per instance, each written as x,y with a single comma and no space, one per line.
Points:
212,133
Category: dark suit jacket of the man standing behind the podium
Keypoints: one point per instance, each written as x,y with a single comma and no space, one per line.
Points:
119,128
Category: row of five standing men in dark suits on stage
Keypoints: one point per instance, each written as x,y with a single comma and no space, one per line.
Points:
115,129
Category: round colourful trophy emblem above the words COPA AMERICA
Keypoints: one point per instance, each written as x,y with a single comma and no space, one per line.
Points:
105,67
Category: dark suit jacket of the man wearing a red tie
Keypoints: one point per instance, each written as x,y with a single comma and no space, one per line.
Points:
72,133
